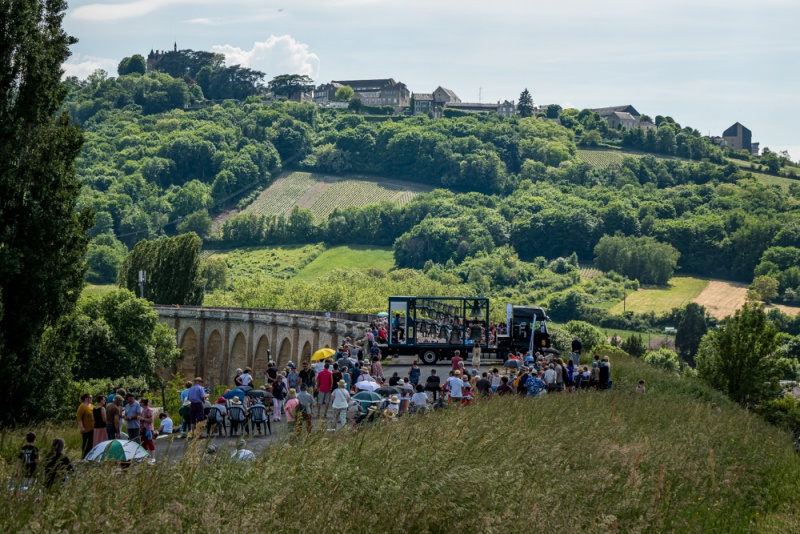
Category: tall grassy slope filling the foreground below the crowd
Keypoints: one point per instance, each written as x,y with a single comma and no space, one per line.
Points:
599,462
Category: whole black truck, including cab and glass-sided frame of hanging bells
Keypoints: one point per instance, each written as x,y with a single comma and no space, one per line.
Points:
433,328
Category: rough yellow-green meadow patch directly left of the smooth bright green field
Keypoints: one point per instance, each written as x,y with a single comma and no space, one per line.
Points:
280,262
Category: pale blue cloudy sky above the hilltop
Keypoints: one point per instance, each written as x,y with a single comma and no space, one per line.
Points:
705,63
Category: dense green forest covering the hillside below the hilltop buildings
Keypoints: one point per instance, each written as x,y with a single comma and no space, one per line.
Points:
162,158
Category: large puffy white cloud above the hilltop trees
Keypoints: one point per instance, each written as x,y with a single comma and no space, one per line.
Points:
280,54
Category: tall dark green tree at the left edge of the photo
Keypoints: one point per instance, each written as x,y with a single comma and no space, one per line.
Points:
42,235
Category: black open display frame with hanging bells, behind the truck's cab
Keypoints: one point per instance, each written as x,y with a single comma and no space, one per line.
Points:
435,327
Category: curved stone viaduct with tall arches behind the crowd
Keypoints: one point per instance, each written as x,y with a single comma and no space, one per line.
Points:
218,340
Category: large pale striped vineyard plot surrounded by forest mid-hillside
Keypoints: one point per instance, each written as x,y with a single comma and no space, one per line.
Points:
323,193
